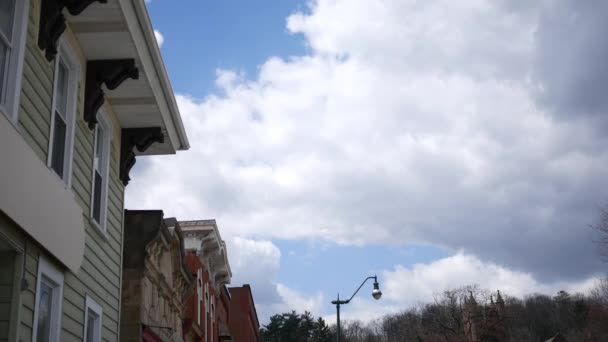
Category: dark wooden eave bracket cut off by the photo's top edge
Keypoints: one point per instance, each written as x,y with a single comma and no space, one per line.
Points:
52,22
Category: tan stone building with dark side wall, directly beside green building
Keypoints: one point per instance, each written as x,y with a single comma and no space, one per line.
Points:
155,278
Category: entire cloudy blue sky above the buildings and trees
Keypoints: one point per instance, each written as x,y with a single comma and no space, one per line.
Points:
434,144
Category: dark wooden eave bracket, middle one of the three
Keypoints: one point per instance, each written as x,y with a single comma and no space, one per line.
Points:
112,72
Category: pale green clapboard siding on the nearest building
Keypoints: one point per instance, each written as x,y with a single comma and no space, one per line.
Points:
100,273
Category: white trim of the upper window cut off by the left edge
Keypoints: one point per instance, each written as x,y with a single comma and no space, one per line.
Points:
10,107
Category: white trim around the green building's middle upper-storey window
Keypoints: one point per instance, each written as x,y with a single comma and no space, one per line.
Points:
66,53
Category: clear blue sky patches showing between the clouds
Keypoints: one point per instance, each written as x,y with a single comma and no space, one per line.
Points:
211,35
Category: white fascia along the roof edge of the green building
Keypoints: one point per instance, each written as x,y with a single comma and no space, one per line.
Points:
151,47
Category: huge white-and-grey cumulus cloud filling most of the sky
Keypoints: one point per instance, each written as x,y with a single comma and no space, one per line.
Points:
420,122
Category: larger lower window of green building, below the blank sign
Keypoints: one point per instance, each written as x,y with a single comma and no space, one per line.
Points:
49,295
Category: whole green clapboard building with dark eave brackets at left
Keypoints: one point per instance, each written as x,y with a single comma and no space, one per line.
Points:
82,84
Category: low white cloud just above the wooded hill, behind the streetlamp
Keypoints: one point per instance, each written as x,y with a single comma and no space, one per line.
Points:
408,287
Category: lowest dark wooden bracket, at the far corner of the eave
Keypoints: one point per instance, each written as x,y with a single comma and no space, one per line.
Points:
140,138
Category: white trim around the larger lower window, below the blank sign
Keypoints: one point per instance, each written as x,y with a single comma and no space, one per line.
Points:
51,272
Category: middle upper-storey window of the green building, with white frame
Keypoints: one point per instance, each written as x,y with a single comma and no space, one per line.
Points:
64,112
